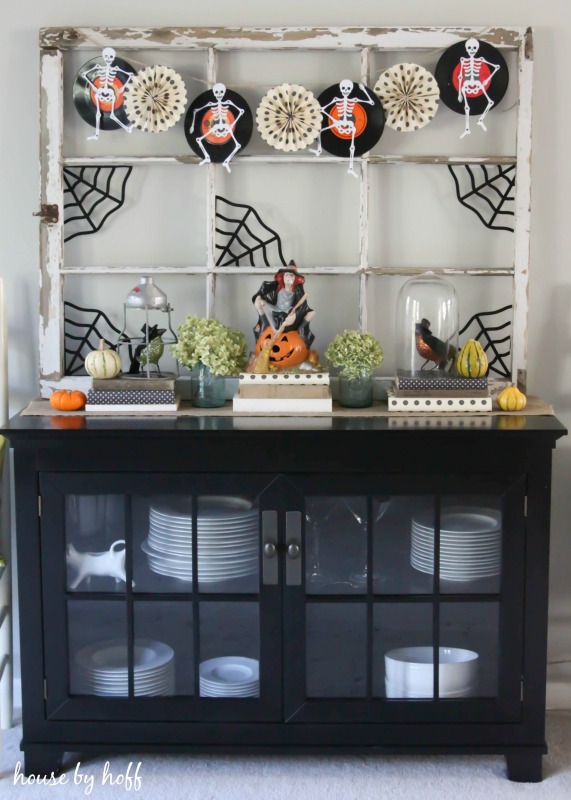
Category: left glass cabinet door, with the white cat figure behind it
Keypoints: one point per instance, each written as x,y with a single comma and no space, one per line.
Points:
163,598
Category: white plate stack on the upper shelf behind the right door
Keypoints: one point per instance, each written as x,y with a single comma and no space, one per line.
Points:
470,543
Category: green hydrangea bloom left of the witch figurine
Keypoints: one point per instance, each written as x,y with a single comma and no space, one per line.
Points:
219,347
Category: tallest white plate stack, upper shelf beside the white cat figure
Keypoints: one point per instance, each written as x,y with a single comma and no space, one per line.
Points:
227,538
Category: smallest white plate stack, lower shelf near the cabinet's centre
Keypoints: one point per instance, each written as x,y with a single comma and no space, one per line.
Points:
230,676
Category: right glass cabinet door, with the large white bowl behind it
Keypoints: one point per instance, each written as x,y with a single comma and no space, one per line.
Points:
408,597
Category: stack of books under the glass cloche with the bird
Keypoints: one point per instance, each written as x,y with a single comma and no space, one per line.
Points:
427,392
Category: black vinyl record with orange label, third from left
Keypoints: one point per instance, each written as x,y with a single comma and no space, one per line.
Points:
367,120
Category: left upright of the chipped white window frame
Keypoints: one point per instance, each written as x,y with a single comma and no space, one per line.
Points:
51,193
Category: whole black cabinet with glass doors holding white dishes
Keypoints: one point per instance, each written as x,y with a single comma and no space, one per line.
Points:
277,589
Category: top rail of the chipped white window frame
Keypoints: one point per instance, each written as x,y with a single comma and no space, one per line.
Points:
336,38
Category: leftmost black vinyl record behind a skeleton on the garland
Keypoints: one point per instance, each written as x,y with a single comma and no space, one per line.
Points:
84,97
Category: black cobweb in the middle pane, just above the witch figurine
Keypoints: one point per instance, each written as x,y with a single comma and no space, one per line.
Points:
244,237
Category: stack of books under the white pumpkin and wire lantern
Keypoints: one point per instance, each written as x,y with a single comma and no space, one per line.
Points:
128,394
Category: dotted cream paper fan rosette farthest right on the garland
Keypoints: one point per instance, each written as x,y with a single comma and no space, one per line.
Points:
409,94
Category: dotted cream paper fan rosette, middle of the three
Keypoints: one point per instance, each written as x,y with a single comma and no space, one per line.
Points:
289,117
